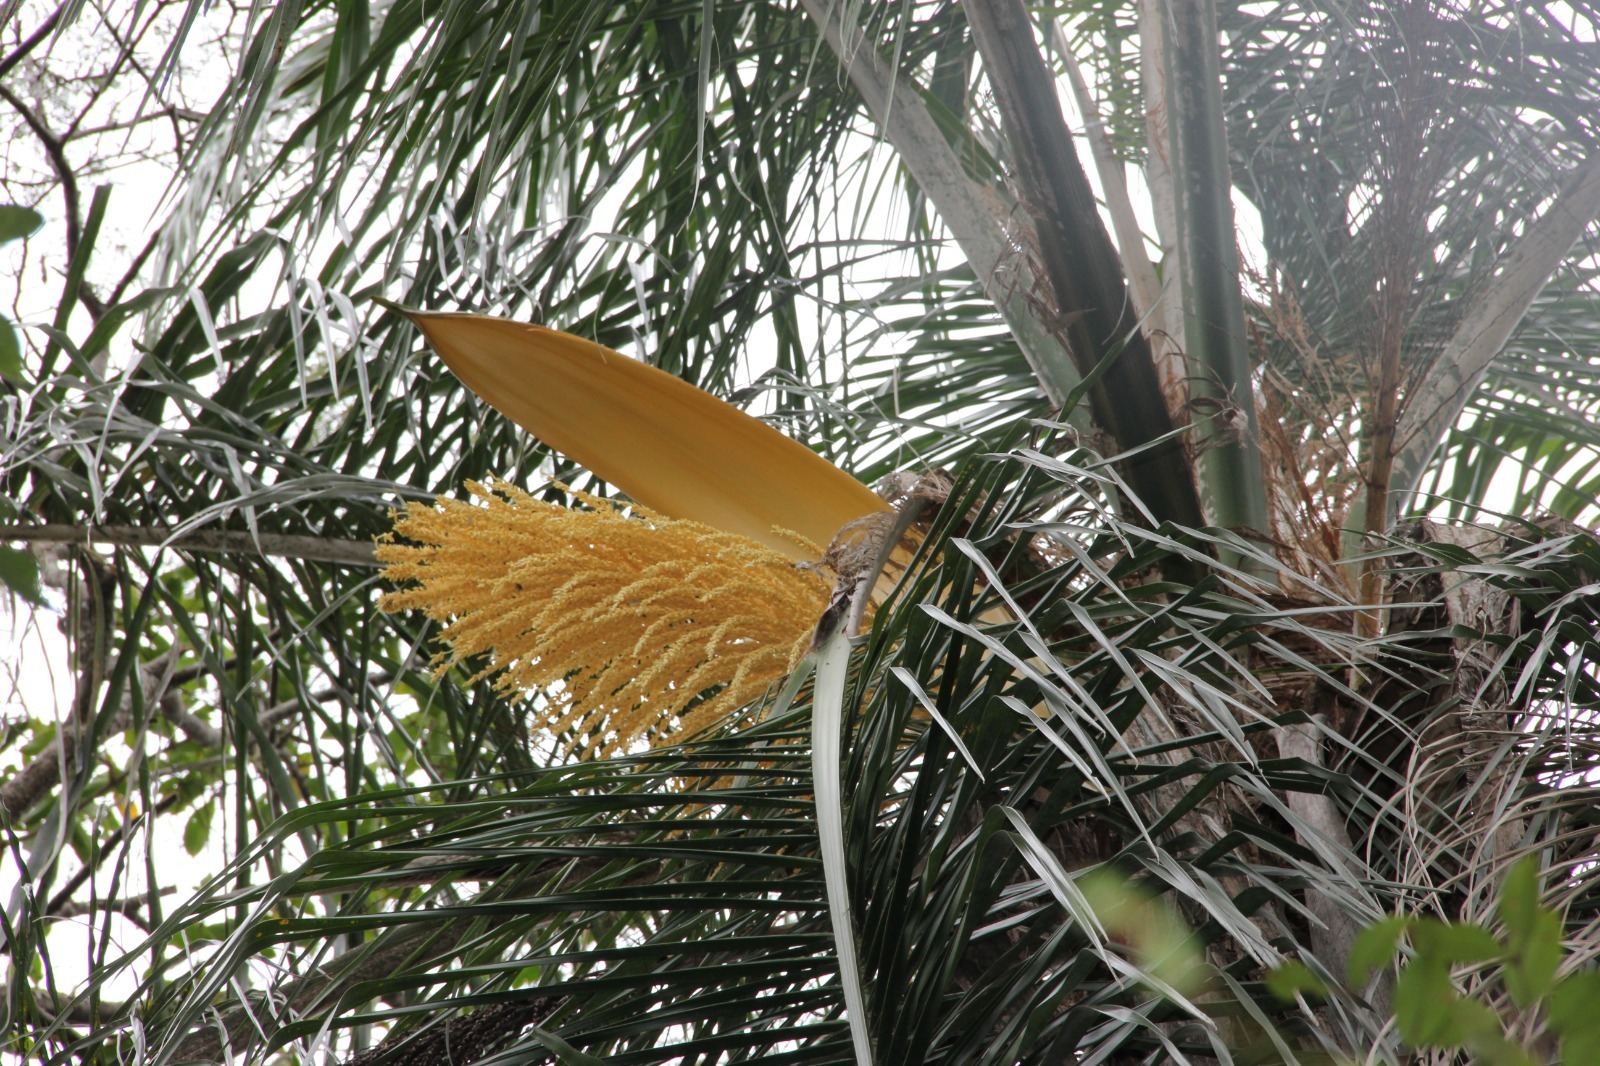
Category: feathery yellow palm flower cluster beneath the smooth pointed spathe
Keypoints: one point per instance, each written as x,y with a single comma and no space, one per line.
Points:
630,625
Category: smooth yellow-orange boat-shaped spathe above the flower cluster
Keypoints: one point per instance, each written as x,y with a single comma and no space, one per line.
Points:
670,446
